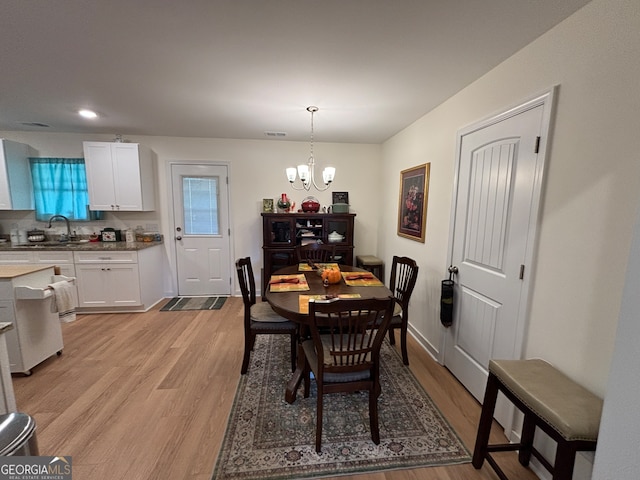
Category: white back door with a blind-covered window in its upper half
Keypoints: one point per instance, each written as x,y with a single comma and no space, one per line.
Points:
201,227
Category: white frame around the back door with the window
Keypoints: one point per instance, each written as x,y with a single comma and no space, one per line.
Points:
170,241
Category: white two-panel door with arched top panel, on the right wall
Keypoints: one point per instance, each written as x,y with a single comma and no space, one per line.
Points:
499,176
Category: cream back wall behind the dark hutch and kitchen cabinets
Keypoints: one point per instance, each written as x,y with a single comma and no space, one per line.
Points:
257,171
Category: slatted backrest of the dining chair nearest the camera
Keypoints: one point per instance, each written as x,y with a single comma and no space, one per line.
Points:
347,334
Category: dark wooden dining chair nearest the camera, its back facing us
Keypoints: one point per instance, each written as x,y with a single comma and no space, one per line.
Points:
343,352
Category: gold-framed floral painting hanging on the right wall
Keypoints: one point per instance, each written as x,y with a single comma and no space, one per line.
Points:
412,208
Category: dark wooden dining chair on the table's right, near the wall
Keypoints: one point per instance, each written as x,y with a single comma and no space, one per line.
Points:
404,273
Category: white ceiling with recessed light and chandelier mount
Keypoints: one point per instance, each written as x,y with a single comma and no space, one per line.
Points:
240,68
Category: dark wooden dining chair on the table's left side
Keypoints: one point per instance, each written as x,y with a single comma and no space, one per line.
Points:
259,317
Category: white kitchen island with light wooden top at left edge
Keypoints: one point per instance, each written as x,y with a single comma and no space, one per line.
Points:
26,301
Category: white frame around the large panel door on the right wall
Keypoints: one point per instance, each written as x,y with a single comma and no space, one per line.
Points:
546,99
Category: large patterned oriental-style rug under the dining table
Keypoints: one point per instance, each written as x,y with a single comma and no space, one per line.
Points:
267,438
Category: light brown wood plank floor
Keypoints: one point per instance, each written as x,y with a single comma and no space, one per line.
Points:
146,396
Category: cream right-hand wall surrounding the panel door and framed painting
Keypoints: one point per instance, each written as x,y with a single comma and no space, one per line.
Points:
592,185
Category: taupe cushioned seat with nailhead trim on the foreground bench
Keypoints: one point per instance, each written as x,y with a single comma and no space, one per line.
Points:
567,407
